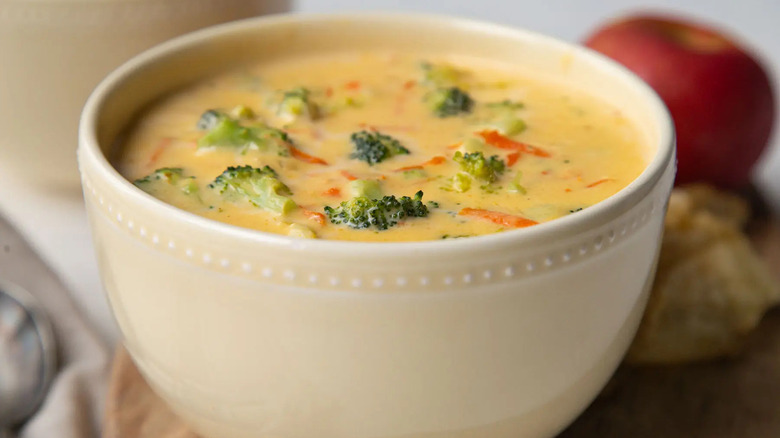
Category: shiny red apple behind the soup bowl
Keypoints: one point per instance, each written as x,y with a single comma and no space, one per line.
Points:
719,95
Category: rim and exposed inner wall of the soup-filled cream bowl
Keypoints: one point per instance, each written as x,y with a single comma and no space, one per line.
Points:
184,60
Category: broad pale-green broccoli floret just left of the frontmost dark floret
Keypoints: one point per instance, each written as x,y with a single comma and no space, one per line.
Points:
259,186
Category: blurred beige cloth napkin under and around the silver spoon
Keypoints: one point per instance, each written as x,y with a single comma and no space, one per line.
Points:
74,405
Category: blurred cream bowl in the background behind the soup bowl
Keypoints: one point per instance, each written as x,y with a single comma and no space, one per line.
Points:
54,52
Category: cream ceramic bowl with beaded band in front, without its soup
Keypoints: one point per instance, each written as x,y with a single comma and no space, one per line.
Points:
249,334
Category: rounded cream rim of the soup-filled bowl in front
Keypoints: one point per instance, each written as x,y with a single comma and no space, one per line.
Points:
589,218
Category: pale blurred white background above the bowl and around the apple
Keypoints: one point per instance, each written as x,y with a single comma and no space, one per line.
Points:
755,22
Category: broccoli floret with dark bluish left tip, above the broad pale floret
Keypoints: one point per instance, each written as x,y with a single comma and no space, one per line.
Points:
228,132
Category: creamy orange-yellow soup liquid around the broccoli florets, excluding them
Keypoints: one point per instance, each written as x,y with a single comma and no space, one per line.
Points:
594,151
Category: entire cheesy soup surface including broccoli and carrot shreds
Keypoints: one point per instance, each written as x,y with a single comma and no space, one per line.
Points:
381,147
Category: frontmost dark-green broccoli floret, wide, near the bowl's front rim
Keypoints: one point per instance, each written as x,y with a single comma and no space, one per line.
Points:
362,212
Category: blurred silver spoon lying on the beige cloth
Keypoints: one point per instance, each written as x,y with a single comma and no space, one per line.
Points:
27,356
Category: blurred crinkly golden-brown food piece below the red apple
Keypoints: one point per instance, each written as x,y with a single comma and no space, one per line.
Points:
711,288
